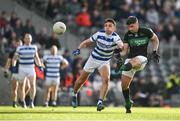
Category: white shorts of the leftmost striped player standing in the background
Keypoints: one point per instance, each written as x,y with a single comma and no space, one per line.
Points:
26,72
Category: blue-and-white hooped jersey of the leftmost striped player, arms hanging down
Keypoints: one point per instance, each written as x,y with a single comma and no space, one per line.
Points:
26,54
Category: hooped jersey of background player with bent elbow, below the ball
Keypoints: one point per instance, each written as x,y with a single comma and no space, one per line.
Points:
52,64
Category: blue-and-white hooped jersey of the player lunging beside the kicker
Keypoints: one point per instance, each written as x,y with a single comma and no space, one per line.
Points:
105,45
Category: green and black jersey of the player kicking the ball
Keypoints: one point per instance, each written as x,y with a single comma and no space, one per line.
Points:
138,42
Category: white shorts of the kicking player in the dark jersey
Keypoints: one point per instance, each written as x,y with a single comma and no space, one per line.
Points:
131,73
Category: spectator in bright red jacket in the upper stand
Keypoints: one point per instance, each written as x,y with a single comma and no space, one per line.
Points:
83,18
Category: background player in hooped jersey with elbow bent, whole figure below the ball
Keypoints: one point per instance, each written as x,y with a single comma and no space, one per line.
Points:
53,63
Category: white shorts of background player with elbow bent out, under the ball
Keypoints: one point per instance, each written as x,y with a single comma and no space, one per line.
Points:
52,81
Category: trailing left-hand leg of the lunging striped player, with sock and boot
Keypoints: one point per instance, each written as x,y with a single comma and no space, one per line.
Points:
78,84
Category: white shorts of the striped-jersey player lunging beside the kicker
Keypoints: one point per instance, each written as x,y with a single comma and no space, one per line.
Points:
93,64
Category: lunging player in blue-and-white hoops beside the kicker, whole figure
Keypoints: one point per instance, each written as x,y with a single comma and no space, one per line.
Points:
106,40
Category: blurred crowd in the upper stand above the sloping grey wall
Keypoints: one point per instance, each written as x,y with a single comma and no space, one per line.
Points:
161,15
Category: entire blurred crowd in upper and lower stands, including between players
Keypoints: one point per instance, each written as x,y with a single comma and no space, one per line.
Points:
161,15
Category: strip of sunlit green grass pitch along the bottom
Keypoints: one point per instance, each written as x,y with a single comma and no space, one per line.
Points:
89,114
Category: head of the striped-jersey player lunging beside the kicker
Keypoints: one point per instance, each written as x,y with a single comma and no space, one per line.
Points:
109,28
